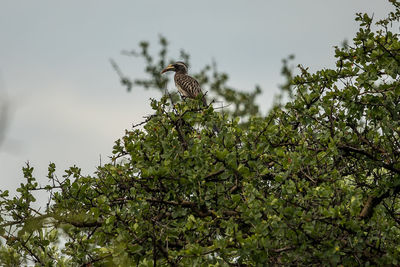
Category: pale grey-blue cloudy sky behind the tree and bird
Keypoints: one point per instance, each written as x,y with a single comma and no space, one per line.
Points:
65,102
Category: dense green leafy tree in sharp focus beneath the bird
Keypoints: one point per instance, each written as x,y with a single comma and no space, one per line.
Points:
316,181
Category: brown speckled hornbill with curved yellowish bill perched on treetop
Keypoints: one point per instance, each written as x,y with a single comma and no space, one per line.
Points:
187,85
